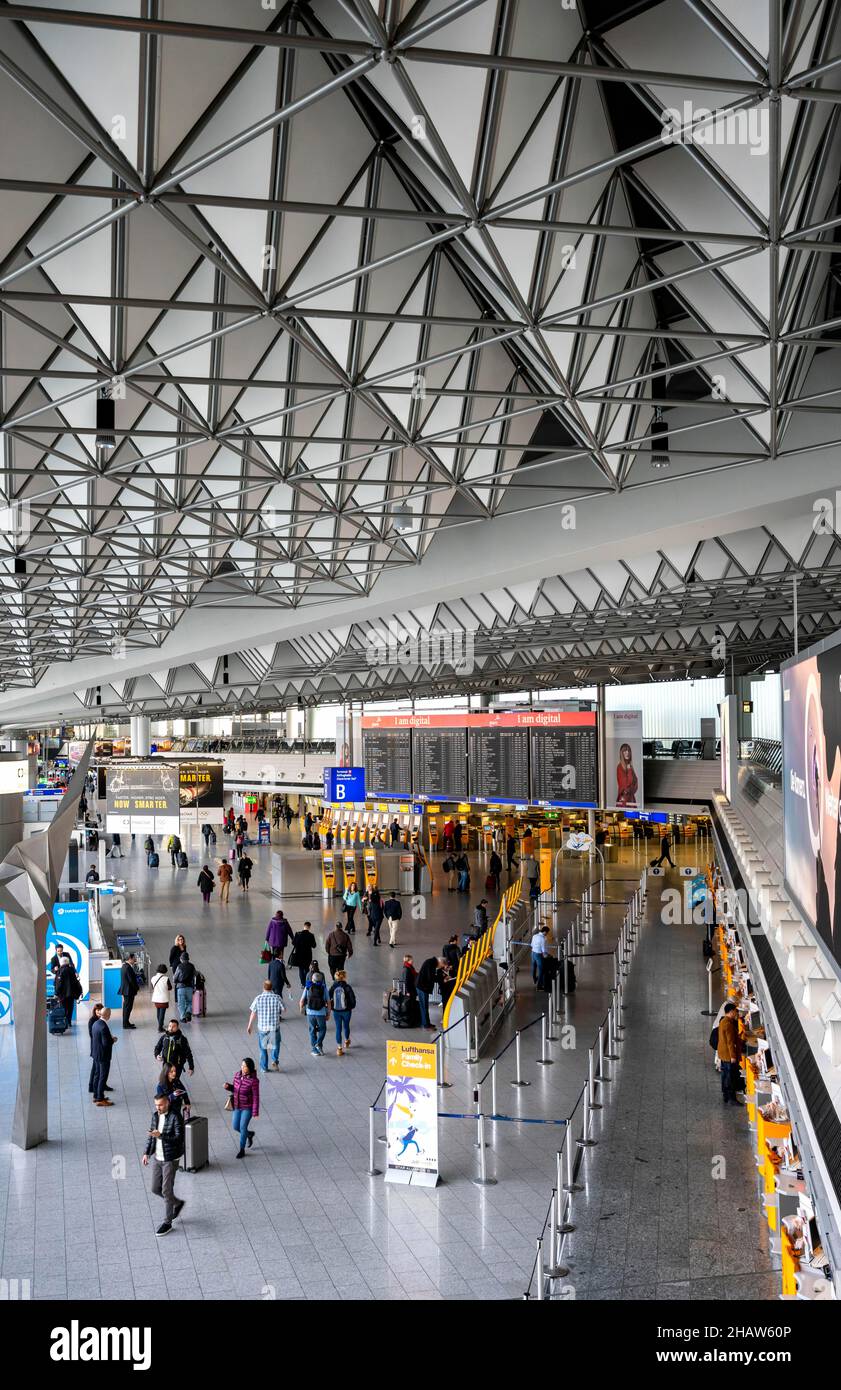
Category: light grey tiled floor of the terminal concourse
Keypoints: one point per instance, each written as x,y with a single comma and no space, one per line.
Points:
301,1218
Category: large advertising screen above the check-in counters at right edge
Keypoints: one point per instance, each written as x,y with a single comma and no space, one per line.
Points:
811,693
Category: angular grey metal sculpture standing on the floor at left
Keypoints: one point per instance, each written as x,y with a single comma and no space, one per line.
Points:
30,879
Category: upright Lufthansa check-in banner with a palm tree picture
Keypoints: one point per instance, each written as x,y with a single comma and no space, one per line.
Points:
412,1114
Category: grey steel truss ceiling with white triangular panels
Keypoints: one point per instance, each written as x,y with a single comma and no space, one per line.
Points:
358,273
